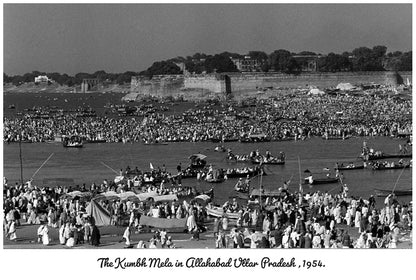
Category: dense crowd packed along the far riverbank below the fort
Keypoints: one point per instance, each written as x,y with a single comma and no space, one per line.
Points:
285,117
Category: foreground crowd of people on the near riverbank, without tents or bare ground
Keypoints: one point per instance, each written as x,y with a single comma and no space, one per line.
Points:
290,220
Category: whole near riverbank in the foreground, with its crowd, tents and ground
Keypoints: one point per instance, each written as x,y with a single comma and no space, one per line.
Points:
285,220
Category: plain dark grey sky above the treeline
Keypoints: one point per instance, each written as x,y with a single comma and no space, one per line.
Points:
74,38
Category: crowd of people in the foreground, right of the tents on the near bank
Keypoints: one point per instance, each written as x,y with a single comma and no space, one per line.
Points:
321,220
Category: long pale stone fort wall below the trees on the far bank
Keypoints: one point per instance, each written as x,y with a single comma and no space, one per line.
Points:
171,85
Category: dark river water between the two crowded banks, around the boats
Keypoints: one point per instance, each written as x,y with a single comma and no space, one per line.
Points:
86,165
